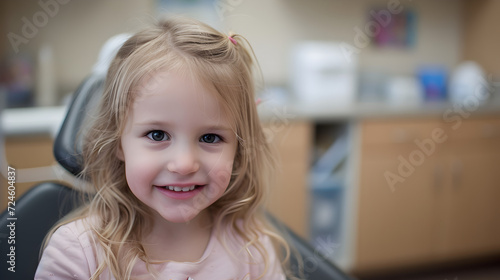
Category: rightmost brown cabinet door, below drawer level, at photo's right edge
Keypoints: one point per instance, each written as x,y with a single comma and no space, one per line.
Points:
473,212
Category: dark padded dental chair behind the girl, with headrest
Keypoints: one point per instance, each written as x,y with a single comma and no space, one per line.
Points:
44,204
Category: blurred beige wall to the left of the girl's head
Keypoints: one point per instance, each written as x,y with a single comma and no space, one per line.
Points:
76,32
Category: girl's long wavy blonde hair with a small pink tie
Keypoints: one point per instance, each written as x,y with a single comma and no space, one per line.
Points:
118,218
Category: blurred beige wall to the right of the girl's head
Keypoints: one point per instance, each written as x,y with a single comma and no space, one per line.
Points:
274,27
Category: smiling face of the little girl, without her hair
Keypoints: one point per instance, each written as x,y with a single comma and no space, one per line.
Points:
178,146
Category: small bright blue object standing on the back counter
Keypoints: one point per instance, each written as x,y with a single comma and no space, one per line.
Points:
434,80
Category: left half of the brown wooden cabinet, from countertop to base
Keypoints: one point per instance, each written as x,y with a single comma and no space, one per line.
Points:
397,225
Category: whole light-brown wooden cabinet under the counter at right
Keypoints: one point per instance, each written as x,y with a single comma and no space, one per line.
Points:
428,192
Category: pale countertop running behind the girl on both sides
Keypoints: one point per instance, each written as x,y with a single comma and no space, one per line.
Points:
47,120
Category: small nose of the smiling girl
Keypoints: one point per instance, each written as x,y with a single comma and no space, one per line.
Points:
184,160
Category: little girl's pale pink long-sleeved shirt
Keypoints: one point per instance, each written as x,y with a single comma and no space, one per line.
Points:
71,254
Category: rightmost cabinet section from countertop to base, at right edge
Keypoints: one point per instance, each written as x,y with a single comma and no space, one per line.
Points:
473,224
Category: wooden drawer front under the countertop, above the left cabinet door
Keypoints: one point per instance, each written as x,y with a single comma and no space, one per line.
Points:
397,131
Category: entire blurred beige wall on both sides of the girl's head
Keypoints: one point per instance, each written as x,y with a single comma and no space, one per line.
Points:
79,29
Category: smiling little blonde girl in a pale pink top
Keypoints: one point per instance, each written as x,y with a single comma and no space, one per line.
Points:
179,163
